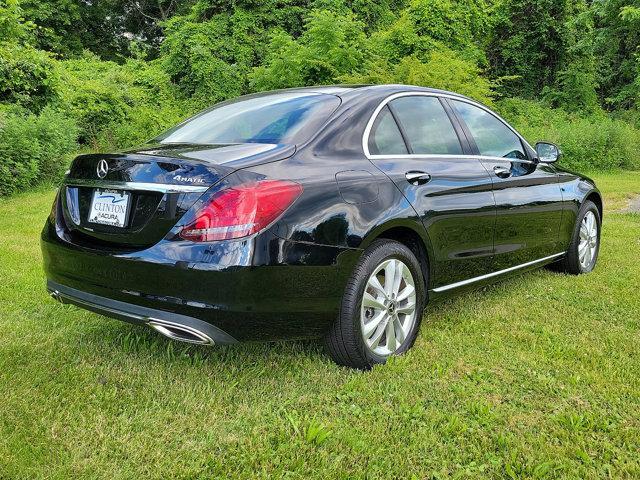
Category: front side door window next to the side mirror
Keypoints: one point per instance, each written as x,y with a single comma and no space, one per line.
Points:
492,137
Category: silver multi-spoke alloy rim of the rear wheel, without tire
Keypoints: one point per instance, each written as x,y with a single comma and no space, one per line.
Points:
388,311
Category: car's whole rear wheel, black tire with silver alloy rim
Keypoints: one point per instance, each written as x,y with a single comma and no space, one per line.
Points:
385,307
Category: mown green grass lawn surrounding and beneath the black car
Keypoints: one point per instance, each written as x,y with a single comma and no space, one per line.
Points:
535,377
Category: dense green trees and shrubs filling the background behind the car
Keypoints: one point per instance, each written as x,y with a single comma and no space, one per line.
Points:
88,75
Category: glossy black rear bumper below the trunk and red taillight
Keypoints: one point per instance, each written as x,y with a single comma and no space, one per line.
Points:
263,288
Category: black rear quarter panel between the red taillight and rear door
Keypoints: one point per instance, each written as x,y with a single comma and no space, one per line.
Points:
346,201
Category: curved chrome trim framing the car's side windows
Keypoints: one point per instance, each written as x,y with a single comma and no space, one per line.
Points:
374,115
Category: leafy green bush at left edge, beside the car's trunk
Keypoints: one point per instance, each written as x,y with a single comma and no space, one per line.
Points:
33,148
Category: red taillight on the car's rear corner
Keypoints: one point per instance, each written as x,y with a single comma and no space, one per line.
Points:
241,210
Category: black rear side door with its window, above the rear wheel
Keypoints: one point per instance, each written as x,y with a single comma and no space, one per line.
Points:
415,143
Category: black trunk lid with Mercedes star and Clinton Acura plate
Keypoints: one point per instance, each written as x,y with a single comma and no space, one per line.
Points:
142,193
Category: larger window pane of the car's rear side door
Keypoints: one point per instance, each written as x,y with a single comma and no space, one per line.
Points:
426,125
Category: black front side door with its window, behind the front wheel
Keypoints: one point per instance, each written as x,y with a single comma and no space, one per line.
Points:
527,193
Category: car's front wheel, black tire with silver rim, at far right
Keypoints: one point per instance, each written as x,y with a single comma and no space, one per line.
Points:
574,261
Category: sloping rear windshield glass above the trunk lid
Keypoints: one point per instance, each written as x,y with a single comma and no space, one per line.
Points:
276,118
